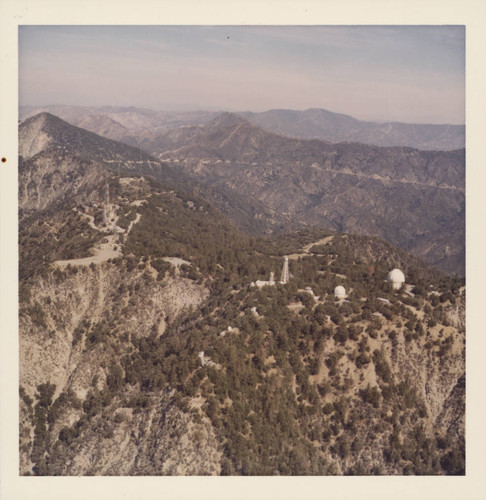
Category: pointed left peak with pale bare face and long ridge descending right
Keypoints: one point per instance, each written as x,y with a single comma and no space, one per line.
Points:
56,153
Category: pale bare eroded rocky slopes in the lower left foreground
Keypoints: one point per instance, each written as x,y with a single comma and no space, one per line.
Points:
72,337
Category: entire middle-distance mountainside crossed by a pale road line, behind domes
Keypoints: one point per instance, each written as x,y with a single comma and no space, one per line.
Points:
414,199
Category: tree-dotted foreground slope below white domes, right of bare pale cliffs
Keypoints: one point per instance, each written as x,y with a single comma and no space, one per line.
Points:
289,395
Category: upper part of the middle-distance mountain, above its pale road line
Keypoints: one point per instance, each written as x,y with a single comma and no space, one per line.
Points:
231,137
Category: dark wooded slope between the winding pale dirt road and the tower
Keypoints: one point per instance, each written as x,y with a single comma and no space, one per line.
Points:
174,224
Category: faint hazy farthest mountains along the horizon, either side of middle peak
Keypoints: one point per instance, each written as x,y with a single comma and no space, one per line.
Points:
143,124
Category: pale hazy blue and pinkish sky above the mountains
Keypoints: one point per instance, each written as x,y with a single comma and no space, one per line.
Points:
403,73
